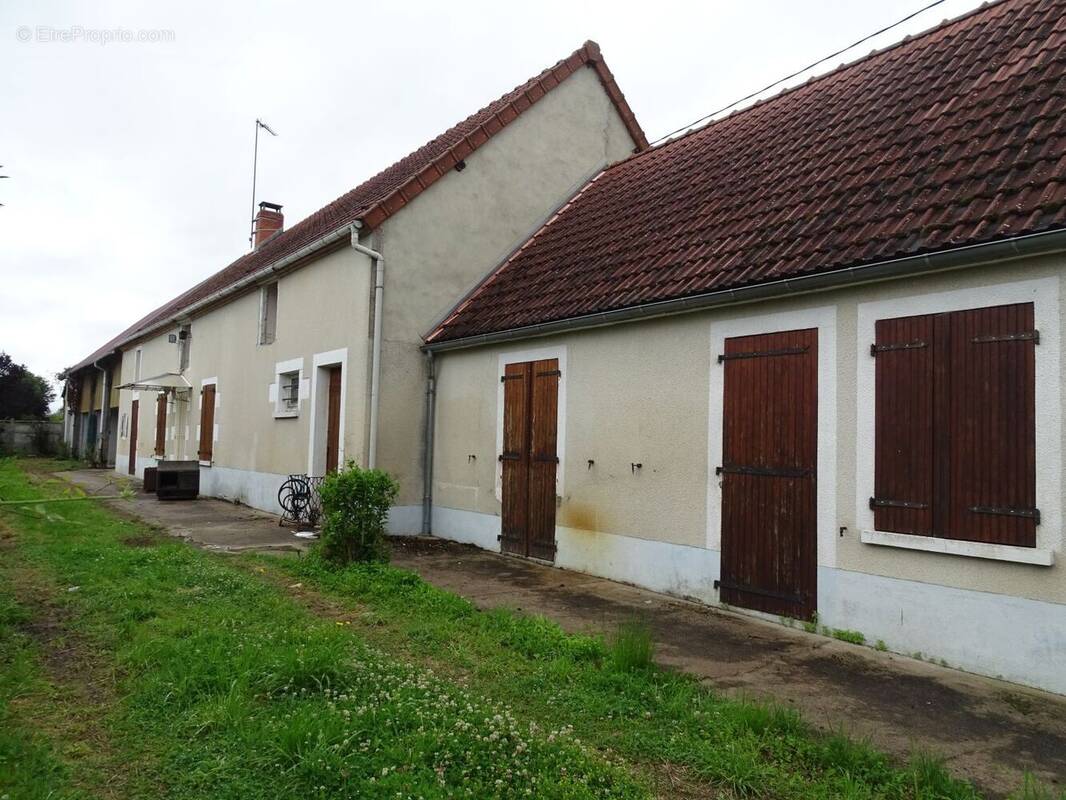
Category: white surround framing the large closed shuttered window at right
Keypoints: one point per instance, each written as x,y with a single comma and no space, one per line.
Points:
1044,295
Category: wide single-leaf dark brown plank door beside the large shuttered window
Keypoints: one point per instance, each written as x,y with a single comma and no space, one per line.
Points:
769,473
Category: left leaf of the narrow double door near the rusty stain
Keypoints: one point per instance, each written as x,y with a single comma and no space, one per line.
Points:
514,458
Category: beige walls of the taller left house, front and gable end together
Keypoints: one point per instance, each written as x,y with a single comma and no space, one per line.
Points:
435,249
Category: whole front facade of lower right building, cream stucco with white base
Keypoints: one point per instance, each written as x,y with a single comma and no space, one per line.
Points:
650,394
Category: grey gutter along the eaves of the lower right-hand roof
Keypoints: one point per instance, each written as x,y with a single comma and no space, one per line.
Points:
974,255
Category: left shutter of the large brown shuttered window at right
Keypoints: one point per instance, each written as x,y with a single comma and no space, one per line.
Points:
905,425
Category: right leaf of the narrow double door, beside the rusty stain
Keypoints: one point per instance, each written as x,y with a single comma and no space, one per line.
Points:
544,459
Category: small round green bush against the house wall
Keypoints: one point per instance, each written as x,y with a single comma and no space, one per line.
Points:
356,505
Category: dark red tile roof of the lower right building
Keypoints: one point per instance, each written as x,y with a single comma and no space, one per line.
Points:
956,137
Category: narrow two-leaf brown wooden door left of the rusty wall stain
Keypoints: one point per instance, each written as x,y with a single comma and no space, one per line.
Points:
530,460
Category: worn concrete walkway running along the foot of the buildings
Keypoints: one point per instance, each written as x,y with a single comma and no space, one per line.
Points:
988,730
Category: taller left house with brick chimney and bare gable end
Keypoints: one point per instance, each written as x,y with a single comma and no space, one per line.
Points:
305,353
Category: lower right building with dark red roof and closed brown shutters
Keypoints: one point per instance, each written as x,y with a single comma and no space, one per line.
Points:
805,362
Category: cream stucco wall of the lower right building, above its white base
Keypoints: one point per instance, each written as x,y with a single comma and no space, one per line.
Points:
642,393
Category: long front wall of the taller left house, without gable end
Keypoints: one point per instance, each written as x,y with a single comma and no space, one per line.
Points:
322,309
